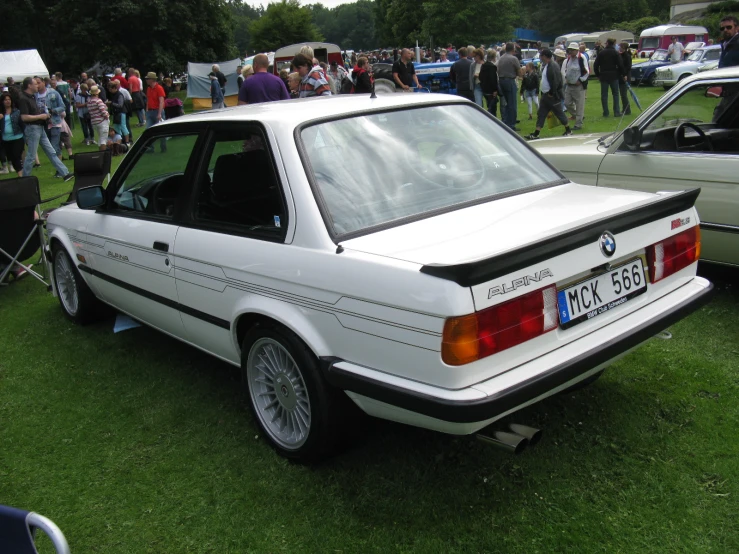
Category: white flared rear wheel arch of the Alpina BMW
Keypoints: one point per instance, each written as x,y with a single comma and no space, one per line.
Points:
292,317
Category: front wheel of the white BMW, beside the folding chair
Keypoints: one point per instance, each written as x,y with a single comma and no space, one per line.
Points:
87,307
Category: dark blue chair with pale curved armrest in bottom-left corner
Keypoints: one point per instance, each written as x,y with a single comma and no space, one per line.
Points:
18,528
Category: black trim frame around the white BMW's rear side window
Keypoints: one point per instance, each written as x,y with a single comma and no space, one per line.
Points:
189,219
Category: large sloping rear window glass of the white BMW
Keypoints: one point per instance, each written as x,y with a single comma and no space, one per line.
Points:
376,168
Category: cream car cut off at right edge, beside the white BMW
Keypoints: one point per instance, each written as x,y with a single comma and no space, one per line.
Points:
688,138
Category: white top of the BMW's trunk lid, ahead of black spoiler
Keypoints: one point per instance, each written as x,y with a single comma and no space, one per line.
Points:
498,226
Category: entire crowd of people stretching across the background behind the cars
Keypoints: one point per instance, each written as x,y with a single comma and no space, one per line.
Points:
37,113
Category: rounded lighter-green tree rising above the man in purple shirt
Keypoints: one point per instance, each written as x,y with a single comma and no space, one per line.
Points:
282,24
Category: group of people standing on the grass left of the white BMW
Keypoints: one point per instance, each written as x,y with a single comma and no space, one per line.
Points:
38,114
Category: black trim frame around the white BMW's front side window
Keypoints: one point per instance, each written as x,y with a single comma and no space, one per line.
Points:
150,135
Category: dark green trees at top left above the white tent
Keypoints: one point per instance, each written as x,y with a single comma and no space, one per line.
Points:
154,35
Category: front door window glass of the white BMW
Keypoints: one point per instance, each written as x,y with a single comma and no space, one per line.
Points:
155,179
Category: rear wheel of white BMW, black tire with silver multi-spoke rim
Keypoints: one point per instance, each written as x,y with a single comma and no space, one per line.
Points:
327,406
